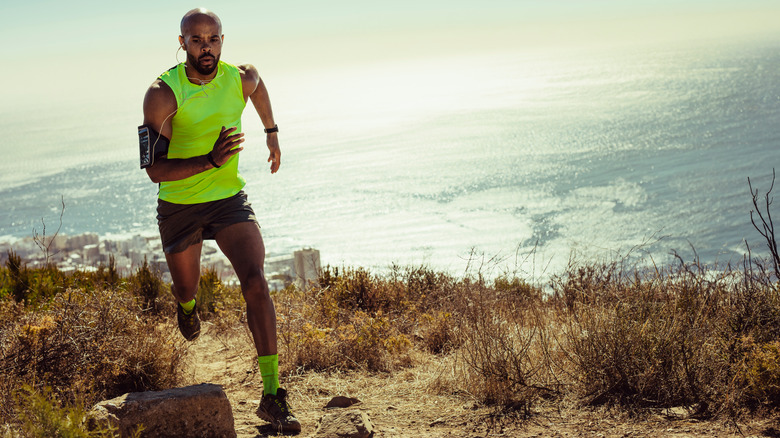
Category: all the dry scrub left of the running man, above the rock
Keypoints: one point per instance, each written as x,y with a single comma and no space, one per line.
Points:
84,344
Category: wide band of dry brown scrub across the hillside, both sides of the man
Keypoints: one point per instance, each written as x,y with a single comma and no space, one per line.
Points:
603,336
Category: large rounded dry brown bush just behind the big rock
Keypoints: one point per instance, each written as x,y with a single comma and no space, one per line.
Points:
89,346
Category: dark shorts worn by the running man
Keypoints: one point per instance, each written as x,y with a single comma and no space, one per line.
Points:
182,225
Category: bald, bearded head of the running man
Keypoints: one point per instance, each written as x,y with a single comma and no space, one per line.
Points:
202,40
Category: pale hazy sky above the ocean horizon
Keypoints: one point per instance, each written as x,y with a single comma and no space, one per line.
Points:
86,50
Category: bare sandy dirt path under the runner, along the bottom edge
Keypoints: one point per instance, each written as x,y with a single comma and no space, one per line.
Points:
403,403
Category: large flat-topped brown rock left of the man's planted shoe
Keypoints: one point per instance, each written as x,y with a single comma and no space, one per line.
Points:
193,411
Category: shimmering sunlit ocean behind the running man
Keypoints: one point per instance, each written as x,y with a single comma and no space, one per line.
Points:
512,162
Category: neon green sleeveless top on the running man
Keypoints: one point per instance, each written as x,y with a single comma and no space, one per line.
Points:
202,110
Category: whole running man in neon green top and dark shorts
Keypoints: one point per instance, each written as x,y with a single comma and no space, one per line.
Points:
190,144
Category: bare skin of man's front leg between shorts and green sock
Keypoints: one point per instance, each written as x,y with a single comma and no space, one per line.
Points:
243,246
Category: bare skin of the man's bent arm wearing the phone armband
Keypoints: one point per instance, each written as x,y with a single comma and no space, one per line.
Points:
159,109
